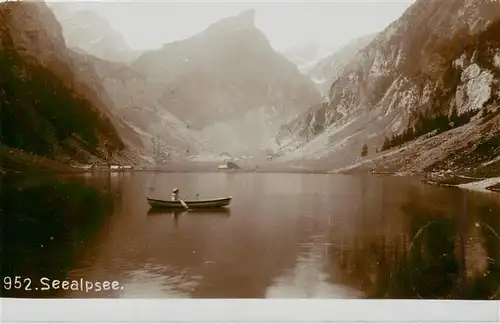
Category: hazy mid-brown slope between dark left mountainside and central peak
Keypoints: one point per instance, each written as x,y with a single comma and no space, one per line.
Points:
135,105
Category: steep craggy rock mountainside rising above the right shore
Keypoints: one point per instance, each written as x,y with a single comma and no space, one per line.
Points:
402,80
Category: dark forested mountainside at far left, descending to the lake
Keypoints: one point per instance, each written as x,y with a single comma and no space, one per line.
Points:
44,113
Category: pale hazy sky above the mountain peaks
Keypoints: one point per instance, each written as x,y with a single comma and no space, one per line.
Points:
147,24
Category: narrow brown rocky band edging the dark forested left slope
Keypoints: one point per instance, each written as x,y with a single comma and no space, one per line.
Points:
37,35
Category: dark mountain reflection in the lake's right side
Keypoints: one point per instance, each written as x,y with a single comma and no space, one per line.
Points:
430,249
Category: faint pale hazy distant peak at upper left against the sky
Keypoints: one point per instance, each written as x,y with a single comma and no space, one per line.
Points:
88,33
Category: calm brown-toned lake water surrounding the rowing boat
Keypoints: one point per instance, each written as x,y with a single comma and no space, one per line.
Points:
284,236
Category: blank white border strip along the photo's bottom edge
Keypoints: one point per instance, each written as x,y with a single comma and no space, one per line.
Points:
247,311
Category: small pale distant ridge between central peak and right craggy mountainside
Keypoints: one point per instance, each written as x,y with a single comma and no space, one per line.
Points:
328,69
